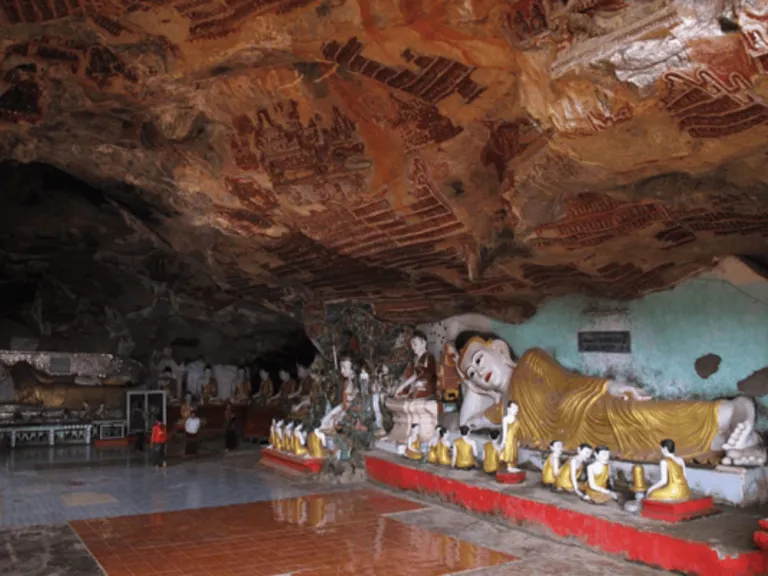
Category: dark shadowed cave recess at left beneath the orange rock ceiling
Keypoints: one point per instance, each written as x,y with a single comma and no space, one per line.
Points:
77,276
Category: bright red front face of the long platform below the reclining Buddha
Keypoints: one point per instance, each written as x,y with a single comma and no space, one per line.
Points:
652,548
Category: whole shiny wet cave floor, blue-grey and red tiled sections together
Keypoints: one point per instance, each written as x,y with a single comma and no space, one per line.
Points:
228,515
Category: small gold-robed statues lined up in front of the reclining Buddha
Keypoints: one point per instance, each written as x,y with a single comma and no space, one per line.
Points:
591,481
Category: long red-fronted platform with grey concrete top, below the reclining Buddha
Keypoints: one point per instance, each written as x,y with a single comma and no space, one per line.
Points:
718,545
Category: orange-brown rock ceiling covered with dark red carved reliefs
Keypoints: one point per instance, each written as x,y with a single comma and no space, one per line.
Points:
427,156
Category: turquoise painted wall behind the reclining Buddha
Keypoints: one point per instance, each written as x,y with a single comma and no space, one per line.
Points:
669,331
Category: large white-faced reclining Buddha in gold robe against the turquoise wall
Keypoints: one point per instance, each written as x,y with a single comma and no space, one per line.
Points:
556,403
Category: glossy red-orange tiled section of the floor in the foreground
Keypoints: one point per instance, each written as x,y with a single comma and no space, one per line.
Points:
318,535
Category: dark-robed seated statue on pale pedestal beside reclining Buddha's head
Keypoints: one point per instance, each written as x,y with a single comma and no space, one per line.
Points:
413,401
